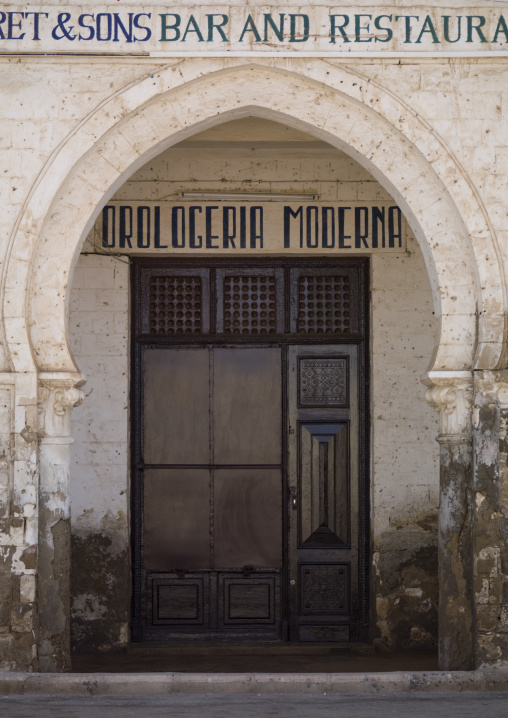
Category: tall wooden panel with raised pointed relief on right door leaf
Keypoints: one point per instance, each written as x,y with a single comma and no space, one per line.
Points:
324,484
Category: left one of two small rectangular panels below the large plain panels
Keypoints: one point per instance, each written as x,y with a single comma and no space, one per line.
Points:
179,601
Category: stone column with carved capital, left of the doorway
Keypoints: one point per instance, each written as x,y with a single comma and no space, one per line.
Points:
58,394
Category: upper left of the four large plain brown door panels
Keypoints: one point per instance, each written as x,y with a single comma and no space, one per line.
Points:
176,396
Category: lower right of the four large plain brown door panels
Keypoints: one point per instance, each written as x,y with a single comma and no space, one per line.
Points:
248,510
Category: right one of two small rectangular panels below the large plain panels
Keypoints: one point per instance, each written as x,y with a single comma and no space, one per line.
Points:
249,600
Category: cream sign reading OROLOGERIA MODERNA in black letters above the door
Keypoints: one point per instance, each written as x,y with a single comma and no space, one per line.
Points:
238,228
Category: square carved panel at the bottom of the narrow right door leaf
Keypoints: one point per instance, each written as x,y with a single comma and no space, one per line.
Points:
324,589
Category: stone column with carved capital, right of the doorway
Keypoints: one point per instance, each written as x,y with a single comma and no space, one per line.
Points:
451,393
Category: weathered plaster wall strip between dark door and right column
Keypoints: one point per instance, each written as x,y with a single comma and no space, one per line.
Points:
405,454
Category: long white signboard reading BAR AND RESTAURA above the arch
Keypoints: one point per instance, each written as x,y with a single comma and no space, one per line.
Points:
246,29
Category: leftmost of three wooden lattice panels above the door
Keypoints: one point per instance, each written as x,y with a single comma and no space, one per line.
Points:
175,305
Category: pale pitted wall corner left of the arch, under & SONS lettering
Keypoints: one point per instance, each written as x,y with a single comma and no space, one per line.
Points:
41,107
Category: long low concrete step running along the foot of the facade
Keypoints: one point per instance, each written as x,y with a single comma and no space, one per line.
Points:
252,683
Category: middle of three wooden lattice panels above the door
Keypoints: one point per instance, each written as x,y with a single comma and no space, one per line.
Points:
249,305
